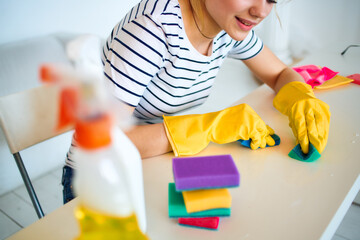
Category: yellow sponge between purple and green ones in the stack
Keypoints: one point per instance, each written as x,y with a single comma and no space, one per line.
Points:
205,199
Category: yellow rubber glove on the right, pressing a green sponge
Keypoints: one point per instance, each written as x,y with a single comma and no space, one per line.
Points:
309,117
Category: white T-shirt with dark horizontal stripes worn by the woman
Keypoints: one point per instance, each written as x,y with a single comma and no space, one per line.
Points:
150,64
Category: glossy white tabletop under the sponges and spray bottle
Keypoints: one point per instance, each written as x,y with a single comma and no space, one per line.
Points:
278,197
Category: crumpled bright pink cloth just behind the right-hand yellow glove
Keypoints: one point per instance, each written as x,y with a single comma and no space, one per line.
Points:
314,75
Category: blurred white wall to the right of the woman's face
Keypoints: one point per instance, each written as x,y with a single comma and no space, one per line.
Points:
312,26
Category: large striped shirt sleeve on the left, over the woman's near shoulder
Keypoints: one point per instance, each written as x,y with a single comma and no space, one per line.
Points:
132,57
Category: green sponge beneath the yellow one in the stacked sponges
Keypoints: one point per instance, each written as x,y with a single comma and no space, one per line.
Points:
177,207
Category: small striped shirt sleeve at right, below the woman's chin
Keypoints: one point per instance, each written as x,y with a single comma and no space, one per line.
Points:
248,48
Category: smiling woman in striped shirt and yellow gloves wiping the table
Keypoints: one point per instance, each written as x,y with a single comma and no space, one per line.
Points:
163,56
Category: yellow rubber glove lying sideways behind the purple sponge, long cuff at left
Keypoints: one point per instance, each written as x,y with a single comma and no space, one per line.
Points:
189,134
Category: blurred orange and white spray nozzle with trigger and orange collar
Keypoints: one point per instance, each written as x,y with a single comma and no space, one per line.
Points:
80,103
